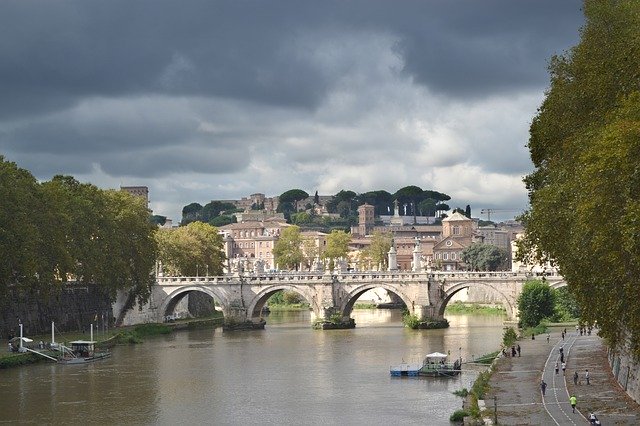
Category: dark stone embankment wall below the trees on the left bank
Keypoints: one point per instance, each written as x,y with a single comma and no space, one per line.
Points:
75,307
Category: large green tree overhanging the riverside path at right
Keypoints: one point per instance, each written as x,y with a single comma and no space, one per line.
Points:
585,145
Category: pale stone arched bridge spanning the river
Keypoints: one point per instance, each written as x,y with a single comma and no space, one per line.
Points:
425,294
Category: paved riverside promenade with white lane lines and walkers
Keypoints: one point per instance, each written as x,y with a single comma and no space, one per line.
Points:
515,384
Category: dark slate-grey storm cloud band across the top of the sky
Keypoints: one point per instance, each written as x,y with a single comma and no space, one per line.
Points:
56,52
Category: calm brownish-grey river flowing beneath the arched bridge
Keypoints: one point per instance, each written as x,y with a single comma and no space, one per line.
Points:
286,374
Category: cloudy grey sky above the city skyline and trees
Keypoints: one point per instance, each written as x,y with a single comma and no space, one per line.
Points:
205,100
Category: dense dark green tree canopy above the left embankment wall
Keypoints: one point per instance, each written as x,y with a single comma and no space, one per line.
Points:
62,230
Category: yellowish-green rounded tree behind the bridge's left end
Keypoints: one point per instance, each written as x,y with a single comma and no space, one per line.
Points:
195,249
